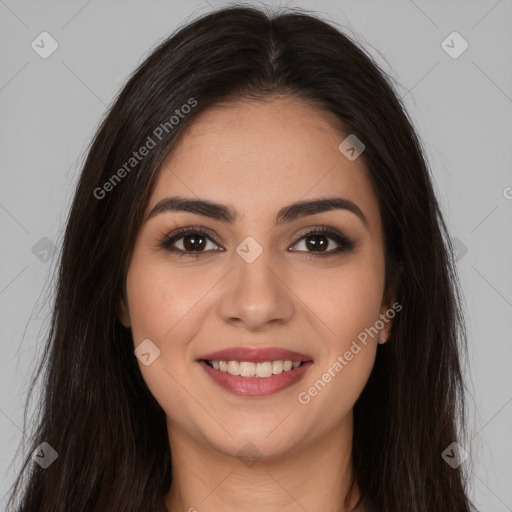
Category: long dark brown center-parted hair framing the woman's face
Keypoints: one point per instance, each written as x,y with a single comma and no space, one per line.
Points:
96,410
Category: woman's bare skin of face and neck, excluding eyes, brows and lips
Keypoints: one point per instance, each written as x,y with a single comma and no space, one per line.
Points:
258,157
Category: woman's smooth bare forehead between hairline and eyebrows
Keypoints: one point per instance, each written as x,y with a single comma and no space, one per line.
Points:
261,155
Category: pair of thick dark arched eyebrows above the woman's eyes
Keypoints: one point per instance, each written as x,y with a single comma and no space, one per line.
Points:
228,214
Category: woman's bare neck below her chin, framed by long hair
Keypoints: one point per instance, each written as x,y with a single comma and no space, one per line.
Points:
315,477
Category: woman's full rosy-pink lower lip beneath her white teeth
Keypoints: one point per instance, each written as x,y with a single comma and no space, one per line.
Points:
256,386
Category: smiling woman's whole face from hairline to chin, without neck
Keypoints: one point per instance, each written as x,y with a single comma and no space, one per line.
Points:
249,282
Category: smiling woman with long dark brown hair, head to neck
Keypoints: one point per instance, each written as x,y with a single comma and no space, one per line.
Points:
257,306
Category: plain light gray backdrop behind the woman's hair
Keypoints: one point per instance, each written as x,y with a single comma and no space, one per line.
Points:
462,109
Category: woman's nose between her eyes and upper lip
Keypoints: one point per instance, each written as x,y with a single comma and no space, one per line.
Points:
256,294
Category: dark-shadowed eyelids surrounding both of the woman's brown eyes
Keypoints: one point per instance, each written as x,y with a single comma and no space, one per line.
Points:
344,242
